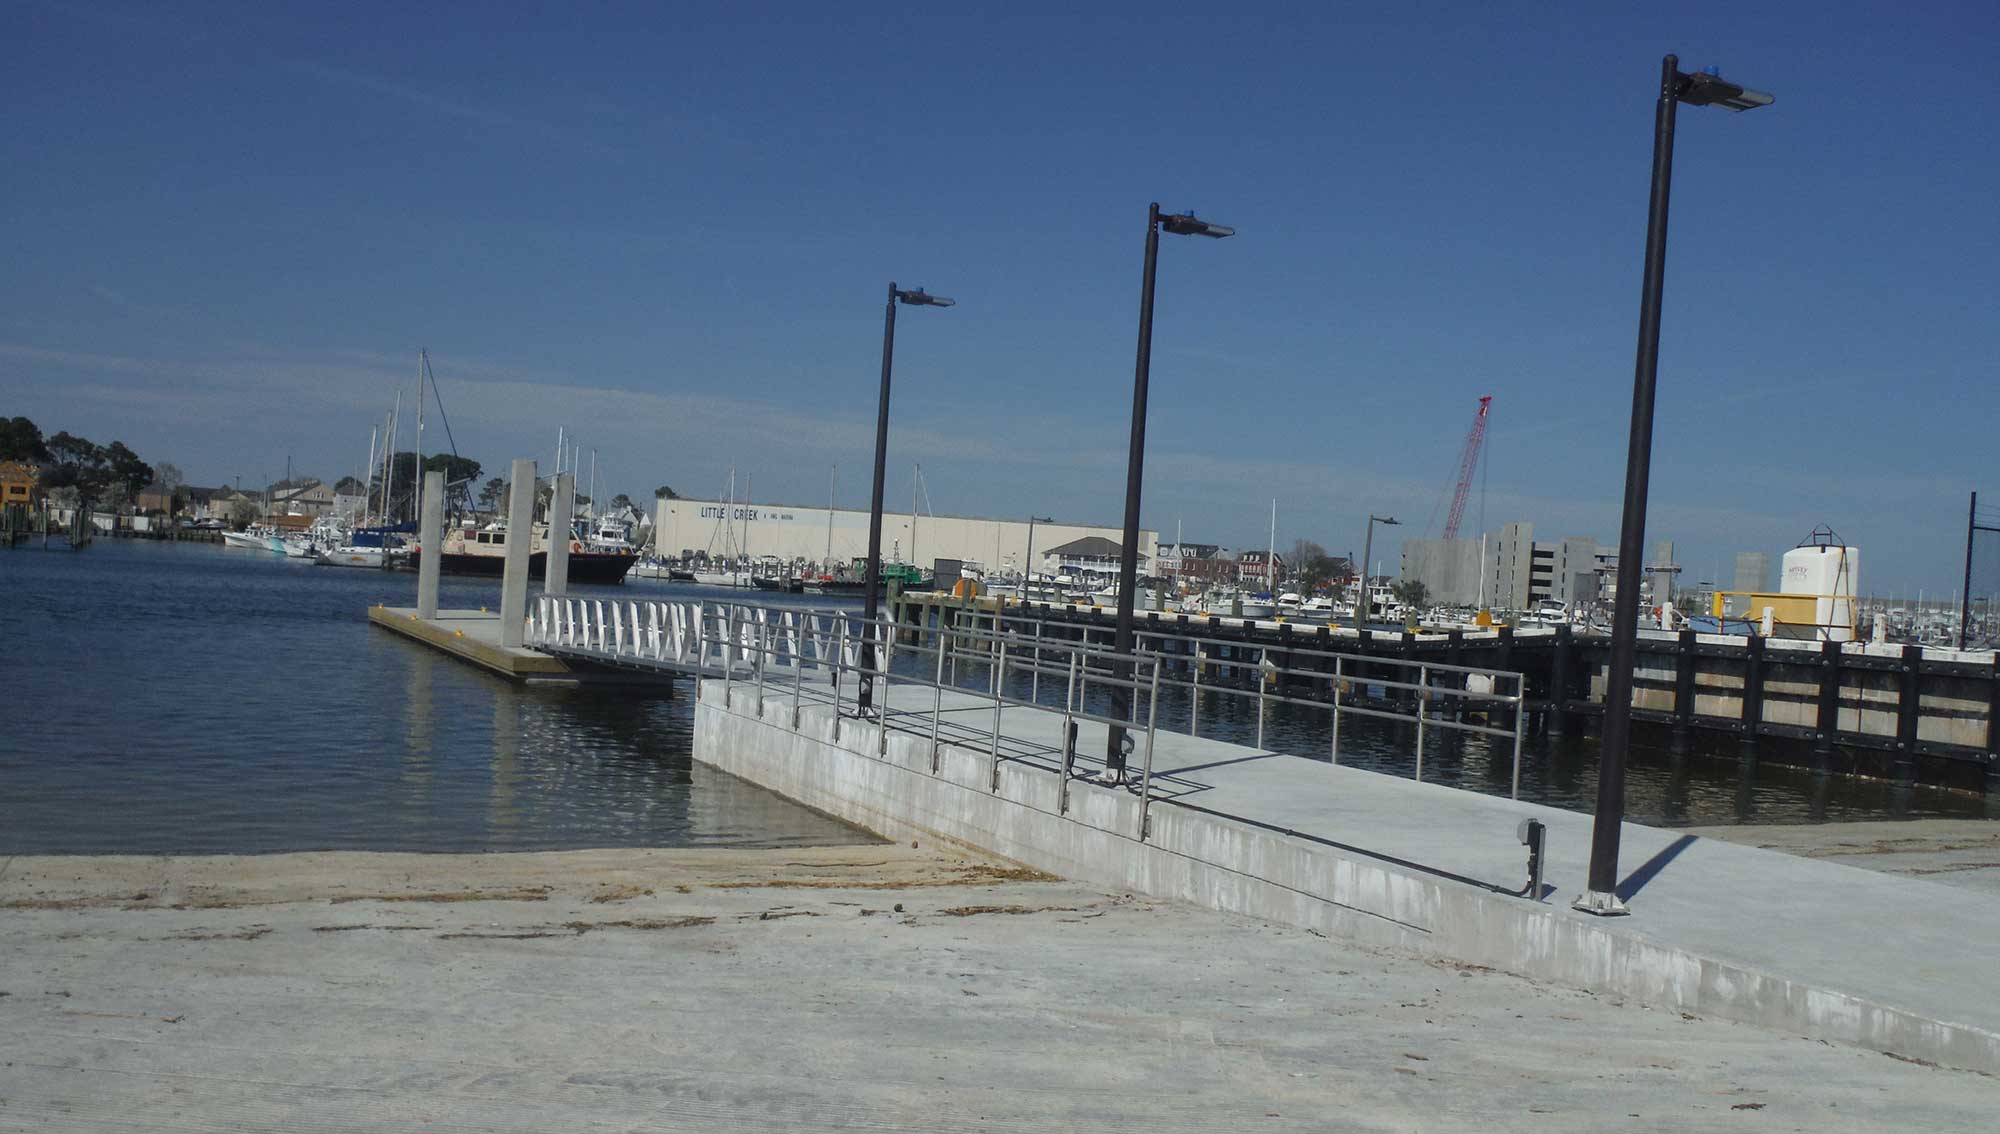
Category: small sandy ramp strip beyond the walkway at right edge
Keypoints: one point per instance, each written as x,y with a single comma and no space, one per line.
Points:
1955,853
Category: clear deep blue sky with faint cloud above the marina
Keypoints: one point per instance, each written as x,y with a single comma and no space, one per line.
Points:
669,229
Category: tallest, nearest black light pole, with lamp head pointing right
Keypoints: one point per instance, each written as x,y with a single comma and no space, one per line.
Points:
1675,89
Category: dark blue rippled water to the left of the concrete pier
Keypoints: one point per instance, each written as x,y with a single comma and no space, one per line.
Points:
191,699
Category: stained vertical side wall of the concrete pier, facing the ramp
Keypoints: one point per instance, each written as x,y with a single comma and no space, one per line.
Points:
1241,869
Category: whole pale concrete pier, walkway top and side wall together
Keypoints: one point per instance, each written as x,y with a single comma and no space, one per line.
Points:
1421,869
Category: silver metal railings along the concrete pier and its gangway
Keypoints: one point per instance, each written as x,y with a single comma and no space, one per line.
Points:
761,645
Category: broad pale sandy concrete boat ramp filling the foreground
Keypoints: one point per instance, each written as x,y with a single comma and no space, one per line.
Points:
787,991
